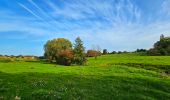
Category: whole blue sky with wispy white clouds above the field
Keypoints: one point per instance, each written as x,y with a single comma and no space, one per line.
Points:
26,25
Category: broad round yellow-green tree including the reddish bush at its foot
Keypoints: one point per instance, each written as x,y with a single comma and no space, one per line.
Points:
58,51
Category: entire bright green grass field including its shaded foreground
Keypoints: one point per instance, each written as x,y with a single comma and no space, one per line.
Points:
116,77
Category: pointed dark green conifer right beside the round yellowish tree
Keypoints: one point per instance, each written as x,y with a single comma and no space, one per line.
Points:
79,52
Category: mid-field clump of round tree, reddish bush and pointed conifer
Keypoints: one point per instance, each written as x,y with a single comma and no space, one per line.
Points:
60,51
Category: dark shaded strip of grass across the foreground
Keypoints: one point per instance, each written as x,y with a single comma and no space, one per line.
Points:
38,86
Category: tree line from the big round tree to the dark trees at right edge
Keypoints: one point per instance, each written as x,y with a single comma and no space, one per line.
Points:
62,51
